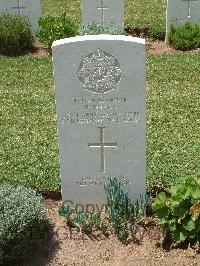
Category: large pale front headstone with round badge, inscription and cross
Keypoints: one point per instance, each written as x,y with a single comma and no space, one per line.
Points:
101,116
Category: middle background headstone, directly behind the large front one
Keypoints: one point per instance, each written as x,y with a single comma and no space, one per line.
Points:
105,12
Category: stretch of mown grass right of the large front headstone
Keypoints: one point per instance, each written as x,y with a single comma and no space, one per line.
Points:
173,108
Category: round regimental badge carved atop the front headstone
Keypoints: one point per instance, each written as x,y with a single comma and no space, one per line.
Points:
100,72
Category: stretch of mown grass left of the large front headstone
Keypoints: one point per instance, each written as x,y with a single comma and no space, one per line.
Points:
28,141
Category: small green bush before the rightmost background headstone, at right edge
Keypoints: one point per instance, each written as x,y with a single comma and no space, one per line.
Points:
186,37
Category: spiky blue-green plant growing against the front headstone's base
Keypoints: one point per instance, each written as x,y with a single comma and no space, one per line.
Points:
121,214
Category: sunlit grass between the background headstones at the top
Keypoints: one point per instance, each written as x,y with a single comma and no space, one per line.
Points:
137,13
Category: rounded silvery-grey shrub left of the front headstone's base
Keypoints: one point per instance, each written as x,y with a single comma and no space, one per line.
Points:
22,222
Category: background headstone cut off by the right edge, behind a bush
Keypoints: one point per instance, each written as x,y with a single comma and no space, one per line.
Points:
181,11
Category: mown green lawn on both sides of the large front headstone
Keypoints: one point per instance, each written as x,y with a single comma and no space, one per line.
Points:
28,140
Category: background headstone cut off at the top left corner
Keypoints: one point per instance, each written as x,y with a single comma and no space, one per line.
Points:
29,8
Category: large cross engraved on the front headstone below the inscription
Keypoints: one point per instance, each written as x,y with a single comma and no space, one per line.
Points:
102,145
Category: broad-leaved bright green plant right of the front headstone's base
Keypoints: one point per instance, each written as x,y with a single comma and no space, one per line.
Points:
178,211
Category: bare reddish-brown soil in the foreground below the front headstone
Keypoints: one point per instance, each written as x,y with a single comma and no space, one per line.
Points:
63,246
